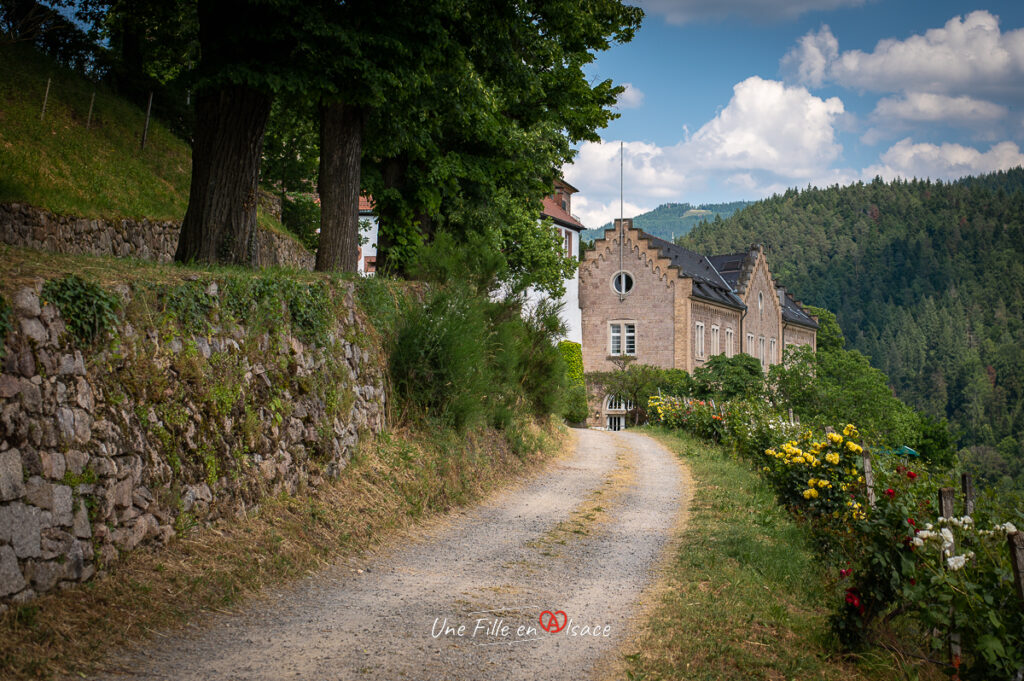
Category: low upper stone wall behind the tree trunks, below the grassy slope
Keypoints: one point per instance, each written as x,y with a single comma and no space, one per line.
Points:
29,227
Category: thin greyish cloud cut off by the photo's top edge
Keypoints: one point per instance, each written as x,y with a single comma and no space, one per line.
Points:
687,12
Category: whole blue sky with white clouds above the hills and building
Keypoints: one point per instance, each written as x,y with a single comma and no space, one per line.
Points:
733,100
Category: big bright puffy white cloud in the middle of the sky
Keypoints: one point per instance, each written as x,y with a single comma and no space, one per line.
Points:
770,126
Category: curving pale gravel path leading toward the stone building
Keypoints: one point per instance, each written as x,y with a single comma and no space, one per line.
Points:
583,540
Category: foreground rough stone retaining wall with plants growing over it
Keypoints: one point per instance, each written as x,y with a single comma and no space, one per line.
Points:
84,476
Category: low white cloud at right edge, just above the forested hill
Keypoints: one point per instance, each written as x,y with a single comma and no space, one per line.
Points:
947,161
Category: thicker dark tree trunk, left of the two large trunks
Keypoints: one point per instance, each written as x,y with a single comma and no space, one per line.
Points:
221,223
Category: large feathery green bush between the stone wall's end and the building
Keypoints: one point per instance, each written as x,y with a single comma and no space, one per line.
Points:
465,357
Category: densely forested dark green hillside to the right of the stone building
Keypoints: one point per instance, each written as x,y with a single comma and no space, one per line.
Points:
927,279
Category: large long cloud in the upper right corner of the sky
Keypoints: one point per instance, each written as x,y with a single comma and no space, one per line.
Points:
969,55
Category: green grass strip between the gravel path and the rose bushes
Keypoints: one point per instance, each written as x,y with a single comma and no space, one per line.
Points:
744,599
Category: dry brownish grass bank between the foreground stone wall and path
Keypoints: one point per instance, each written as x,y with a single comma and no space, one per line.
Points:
402,478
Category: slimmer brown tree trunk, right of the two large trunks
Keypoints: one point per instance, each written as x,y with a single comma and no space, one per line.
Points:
342,152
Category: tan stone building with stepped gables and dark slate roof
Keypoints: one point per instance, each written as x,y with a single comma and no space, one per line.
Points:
669,307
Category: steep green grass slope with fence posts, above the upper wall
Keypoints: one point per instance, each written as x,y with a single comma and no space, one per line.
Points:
58,164
